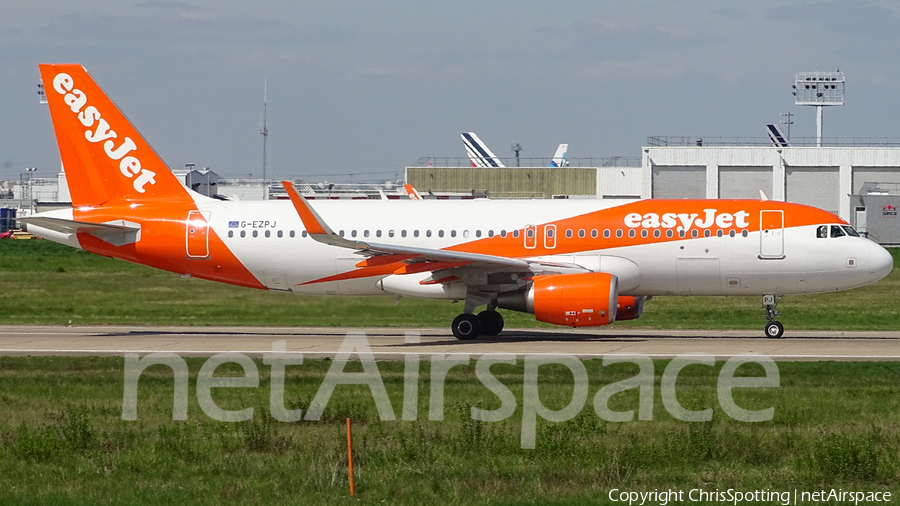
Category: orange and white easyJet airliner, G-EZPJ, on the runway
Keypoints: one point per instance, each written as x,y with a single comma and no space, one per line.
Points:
579,263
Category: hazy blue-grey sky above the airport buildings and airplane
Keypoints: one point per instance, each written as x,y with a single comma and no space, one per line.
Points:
367,88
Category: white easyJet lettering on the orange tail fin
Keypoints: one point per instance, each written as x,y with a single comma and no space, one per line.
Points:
98,130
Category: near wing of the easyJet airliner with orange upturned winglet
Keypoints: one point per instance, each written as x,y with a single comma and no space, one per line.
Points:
442,259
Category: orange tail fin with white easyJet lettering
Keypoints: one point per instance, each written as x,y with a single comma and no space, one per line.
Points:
103,155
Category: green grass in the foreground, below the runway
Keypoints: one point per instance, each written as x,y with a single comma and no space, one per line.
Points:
64,442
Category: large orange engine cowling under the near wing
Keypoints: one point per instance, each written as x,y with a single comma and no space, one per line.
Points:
575,300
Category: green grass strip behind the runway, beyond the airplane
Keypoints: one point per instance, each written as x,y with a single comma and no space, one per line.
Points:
47,283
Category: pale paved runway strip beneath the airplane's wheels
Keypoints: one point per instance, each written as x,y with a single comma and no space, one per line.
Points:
390,343
